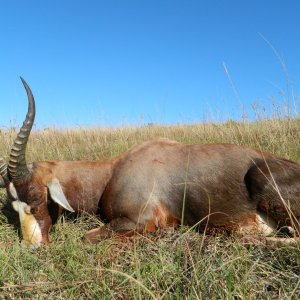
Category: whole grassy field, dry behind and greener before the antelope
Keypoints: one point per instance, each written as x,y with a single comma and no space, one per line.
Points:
166,265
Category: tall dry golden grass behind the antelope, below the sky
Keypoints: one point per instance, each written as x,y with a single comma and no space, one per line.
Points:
277,136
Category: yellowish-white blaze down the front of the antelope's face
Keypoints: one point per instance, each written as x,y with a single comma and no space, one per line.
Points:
31,231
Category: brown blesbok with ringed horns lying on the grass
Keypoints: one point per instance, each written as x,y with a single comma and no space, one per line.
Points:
156,184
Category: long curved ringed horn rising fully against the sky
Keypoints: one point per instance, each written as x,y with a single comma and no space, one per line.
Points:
17,167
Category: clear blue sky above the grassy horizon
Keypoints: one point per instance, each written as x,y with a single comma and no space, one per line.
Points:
127,62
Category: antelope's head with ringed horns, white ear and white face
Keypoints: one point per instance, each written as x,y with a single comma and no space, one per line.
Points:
31,190
